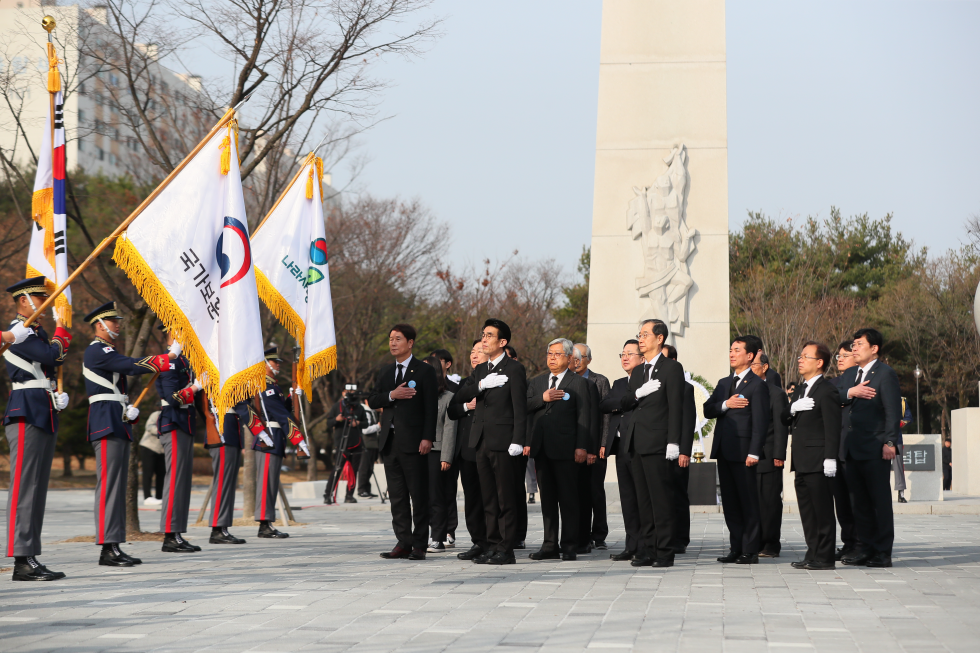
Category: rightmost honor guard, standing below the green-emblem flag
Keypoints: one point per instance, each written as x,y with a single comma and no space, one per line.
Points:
275,407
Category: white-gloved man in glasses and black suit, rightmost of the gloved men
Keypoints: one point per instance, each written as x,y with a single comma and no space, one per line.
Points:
815,416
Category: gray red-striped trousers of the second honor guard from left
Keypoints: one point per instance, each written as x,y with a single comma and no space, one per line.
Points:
111,473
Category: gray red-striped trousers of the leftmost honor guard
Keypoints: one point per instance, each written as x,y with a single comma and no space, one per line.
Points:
31,451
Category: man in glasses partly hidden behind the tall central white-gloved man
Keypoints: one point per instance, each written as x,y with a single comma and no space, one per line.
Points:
611,446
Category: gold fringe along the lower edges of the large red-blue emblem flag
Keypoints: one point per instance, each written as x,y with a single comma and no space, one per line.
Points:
239,387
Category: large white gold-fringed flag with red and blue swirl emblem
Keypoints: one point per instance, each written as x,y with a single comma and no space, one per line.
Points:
189,256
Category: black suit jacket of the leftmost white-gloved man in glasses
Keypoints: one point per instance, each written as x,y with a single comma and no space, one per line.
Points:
501,413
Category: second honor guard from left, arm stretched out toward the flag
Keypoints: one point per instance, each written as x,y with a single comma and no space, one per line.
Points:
110,416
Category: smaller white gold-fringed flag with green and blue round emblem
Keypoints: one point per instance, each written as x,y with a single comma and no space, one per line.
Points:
292,271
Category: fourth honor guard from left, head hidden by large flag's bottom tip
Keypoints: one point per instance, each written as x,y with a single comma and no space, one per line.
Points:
225,459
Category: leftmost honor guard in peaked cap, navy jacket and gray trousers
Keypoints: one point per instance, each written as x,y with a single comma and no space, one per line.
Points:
31,422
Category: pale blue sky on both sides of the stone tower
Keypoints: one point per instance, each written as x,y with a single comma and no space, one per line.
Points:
867,106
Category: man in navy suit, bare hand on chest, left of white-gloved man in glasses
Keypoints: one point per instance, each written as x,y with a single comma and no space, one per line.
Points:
740,403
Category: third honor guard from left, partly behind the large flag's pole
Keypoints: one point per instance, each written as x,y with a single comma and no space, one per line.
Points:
175,428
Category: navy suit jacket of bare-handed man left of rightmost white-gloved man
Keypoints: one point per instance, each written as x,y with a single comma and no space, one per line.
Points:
739,431
